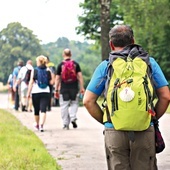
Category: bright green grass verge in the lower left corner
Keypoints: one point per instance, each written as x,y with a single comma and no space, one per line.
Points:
20,148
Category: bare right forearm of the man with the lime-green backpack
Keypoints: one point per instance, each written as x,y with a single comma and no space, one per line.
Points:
162,104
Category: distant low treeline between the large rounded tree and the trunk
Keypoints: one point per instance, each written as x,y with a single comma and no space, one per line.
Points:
85,54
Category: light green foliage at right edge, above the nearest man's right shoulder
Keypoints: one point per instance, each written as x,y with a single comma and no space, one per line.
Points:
150,22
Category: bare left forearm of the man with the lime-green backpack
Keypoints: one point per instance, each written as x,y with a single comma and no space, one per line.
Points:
90,102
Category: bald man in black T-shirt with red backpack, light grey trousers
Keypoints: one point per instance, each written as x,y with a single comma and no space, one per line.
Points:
68,85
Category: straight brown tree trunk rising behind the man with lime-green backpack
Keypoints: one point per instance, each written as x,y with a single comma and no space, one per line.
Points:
105,27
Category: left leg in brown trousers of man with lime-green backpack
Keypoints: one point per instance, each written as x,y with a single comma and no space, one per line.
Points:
117,149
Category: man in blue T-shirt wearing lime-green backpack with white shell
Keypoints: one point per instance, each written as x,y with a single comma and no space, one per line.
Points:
126,84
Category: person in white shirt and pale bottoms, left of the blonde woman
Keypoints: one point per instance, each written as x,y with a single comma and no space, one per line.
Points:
23,79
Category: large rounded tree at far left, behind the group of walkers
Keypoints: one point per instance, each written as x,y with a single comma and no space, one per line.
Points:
16,42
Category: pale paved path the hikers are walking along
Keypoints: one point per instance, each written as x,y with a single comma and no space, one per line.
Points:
81,148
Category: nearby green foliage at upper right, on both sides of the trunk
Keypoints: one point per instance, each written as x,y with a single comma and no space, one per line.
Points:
150,21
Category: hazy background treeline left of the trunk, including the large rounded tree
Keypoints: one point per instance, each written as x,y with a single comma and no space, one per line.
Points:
18,43
